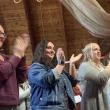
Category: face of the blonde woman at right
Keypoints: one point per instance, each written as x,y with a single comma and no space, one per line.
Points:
95,53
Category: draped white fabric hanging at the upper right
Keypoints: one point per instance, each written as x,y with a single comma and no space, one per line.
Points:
91,15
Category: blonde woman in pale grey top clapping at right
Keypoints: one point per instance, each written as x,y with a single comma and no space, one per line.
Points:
93,76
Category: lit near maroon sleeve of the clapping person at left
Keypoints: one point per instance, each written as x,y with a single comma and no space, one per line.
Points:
8,67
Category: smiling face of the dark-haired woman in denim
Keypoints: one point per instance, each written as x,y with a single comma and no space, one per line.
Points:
50,52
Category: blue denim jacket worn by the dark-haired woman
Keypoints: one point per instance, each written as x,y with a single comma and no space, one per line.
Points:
48,93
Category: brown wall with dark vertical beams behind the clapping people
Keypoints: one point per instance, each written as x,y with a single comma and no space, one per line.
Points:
46,20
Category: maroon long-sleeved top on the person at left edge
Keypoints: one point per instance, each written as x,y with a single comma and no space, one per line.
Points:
12,72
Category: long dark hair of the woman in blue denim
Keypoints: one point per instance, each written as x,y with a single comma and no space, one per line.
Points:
39,52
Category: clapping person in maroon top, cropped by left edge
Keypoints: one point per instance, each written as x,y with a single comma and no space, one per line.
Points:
12,71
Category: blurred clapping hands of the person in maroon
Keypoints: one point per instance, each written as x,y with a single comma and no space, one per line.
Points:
20,45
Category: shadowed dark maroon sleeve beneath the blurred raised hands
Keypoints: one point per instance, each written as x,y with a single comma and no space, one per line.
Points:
21,71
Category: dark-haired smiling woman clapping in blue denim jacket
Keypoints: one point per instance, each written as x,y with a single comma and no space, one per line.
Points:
51,86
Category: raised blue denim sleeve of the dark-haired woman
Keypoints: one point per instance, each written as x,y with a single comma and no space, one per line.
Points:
41,76
